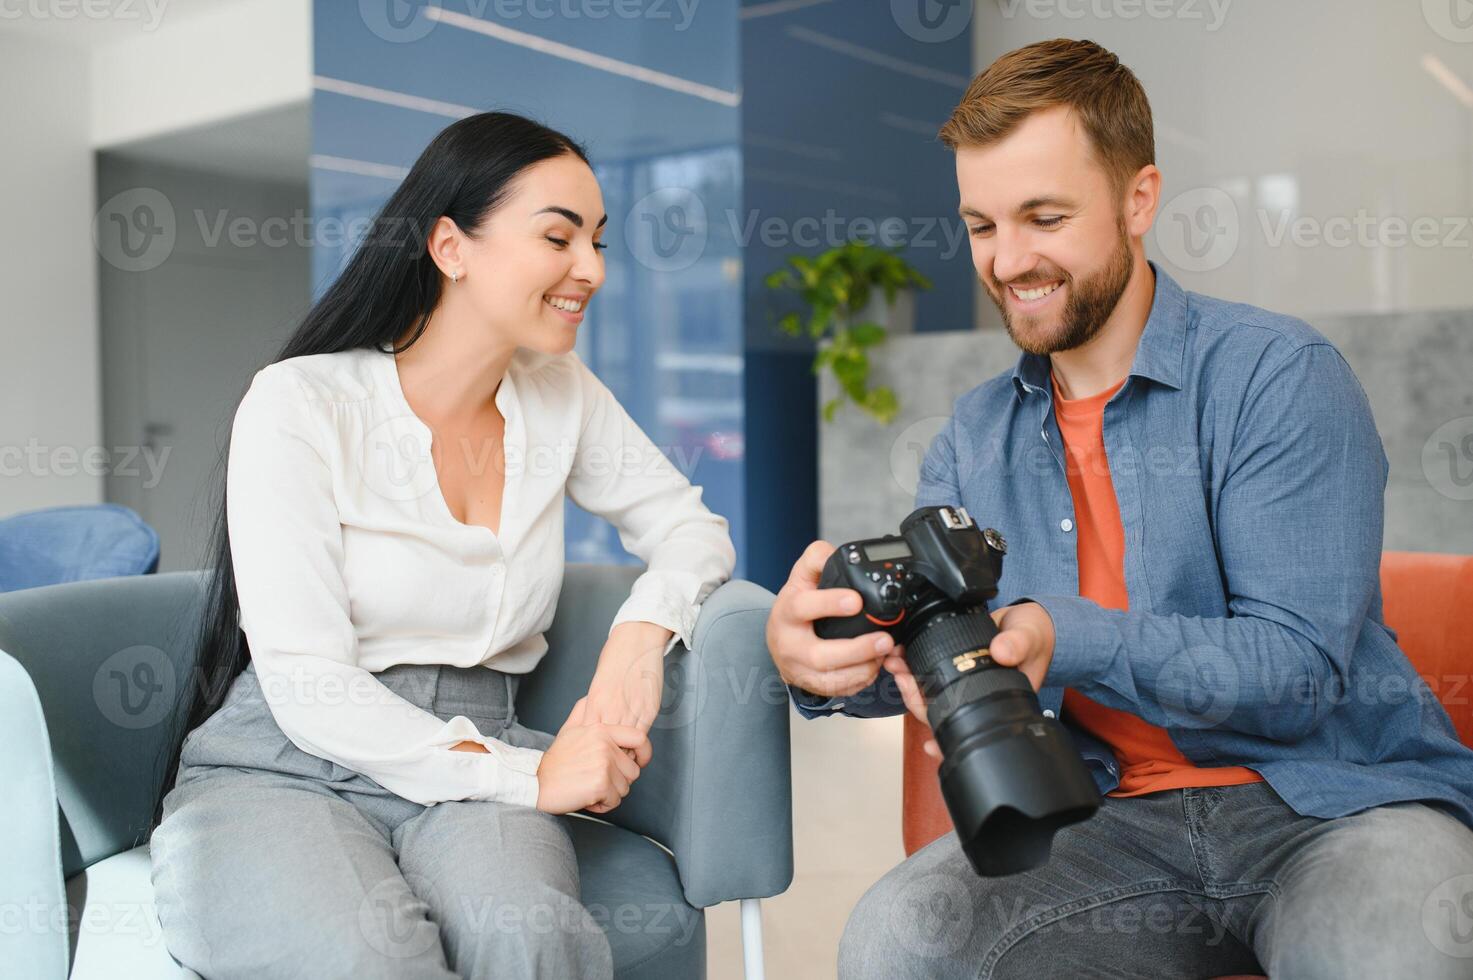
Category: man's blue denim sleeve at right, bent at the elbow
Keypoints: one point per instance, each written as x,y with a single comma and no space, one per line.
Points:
1298,527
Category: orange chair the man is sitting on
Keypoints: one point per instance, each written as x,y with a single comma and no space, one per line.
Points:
1422,596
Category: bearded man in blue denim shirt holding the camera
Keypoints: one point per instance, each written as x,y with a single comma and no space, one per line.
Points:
1189,490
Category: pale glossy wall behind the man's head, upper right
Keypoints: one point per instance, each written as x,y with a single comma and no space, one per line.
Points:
1319,113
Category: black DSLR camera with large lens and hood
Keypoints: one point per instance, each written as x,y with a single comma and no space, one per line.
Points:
1010,776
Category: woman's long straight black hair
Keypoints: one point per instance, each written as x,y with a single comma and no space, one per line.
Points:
390,288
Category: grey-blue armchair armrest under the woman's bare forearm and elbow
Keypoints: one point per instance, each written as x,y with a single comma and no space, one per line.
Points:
718,792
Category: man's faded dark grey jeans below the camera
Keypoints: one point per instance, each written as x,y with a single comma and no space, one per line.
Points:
1187,883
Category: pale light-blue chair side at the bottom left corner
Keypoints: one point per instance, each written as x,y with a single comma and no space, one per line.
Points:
32,873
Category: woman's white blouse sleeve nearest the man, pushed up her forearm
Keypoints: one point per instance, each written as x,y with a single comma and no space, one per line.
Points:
621,475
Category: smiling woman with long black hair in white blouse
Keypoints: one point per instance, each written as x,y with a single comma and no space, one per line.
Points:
365,802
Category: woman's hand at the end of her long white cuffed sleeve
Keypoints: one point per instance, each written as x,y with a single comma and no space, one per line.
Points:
590,766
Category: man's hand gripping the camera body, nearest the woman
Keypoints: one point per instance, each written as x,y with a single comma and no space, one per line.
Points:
829,668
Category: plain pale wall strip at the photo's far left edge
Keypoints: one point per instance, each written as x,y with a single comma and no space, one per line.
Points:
49,388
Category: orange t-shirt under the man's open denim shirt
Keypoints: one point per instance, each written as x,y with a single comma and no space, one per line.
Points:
1150,761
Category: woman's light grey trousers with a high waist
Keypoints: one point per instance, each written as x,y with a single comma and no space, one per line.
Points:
273,863
